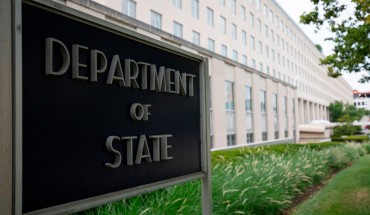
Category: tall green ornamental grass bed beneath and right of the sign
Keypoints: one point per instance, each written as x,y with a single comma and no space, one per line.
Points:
259,180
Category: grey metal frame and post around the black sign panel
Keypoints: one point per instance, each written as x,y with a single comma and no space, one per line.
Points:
83,204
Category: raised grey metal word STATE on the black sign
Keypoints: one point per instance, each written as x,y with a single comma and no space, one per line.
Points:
160,149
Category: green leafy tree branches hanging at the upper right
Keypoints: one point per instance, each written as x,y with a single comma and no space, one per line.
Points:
352,35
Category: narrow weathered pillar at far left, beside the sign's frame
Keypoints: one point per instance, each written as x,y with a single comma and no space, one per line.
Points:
6,126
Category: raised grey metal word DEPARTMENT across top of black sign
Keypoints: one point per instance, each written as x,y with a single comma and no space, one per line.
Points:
124,73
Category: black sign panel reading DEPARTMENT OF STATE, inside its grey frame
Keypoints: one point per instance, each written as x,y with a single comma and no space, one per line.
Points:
102,112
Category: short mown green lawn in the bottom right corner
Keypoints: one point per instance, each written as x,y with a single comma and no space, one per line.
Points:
346,193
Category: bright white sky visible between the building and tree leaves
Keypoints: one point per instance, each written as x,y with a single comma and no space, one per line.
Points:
294,9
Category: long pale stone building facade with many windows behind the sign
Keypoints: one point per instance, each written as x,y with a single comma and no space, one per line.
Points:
265,76
